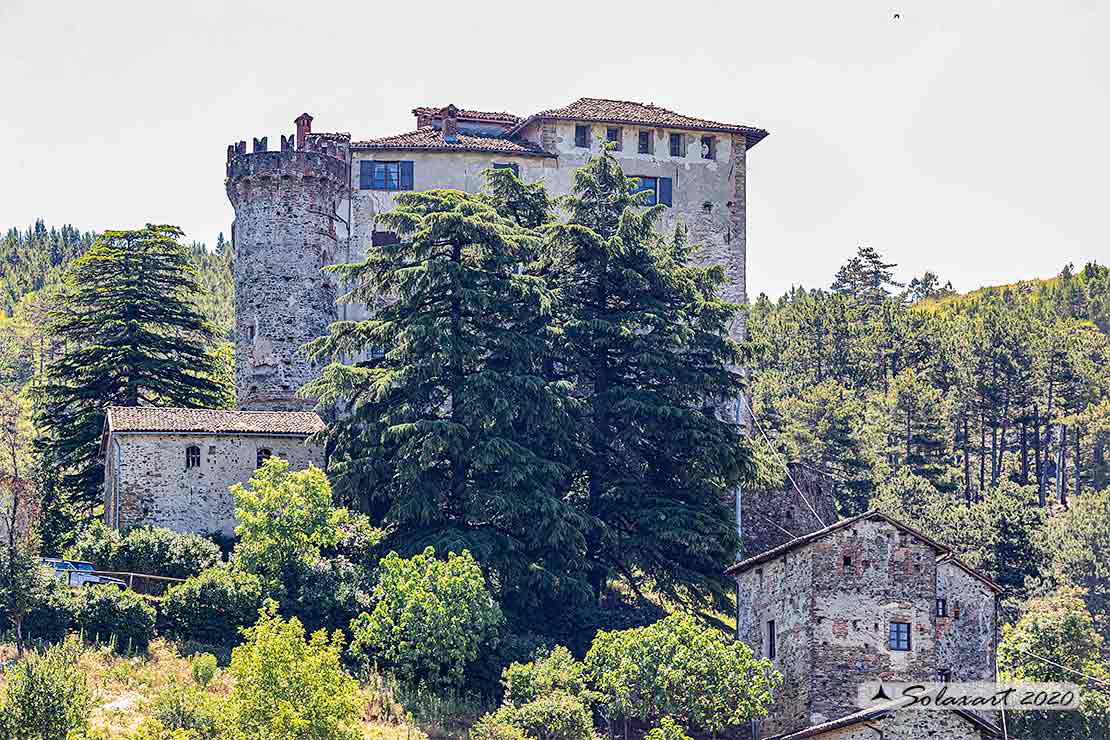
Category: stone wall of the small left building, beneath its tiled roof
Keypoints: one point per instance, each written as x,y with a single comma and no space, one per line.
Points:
148,483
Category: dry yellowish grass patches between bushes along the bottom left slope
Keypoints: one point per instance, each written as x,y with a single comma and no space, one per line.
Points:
124,687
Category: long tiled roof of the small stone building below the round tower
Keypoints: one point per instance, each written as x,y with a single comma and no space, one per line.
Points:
210,421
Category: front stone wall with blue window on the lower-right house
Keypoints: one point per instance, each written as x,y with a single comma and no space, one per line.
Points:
892,577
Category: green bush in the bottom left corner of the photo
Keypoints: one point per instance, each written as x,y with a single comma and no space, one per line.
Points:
45,697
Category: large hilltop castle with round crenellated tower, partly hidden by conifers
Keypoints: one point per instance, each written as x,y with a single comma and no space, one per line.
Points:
315,202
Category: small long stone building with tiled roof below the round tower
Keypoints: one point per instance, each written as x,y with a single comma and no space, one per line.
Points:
174,468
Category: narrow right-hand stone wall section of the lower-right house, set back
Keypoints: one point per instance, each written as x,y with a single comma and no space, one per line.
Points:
966,637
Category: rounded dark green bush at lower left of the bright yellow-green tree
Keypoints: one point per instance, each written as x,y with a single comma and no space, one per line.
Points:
214,606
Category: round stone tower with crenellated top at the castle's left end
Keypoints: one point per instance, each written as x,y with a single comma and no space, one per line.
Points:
288,227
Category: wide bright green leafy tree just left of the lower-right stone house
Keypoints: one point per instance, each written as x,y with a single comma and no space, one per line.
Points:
681,670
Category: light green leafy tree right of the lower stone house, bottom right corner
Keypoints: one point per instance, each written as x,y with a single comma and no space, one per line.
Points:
1056,641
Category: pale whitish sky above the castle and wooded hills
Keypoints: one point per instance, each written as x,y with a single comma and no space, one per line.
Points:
970,138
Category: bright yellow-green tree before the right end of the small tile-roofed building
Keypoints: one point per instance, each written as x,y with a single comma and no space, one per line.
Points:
285,519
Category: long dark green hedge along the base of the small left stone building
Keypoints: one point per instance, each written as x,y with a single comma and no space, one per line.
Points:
155,551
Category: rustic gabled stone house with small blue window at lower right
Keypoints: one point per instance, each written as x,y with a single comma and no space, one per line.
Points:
865,600
